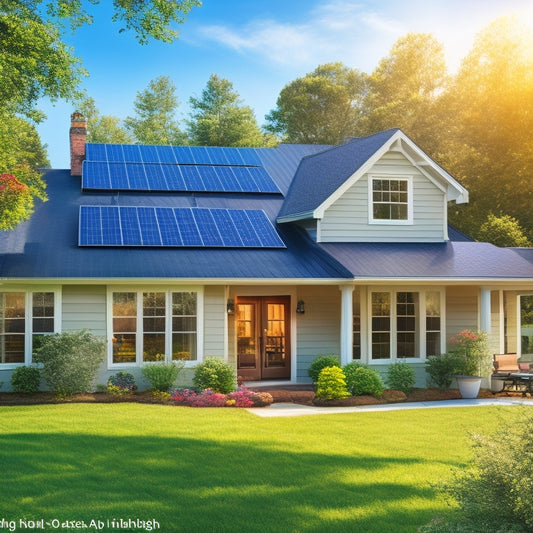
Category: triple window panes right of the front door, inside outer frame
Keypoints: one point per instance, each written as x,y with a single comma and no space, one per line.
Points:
405,324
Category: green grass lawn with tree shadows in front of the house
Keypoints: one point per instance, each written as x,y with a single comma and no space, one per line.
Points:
227,470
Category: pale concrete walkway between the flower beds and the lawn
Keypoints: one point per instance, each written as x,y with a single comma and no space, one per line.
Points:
293,409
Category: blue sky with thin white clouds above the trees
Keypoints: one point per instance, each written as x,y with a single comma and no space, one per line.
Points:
260,46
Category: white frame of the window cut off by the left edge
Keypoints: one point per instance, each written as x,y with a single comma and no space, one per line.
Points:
28,319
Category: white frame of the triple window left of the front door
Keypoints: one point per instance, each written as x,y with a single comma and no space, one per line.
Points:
168,323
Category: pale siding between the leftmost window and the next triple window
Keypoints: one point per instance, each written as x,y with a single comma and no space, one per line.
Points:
84,307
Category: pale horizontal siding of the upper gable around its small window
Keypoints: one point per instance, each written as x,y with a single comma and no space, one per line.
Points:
347,219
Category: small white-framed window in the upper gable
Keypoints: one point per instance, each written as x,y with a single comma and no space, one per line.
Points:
392,200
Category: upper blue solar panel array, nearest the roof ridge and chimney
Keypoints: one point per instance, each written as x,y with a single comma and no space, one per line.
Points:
175,168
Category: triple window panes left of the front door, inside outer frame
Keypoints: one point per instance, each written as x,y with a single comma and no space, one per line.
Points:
154,326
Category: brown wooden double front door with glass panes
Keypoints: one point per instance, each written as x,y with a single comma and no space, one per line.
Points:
263,337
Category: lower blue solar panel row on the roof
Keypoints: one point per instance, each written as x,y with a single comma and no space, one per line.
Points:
176,227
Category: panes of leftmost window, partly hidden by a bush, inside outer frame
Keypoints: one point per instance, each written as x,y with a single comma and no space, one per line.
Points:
24,318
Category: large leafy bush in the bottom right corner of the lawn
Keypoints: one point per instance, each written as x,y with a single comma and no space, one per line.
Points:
495,492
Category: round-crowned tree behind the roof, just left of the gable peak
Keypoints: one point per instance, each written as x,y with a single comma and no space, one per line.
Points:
323,107
